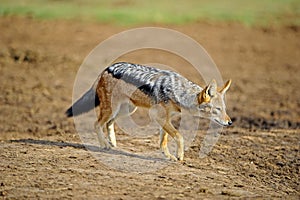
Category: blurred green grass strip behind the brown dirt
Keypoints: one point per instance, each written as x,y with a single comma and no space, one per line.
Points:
129,12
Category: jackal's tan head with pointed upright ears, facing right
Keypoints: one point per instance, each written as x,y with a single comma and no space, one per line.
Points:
212,103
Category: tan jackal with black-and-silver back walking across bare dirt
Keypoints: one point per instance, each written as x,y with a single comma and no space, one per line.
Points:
123,84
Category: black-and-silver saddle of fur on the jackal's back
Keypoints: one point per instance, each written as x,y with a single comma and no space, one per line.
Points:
159,85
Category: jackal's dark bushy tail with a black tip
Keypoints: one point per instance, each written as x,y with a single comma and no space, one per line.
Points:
85,103
